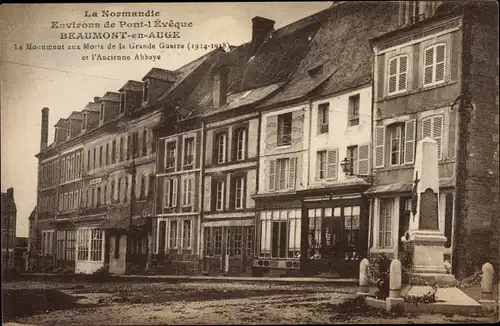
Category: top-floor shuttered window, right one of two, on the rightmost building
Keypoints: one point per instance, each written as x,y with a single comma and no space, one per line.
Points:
434,64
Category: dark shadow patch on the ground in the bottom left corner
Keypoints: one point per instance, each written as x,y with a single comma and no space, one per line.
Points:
19,303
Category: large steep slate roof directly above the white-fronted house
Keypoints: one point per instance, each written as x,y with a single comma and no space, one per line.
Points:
342,47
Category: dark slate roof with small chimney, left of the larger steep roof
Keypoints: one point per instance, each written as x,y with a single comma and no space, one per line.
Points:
266,70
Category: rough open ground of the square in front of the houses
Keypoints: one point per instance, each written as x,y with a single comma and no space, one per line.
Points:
181,303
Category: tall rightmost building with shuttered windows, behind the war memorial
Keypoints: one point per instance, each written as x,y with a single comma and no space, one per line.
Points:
423,78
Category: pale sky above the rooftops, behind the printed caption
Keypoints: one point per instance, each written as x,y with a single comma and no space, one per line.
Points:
63,81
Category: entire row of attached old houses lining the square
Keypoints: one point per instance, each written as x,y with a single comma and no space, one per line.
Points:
291,152
